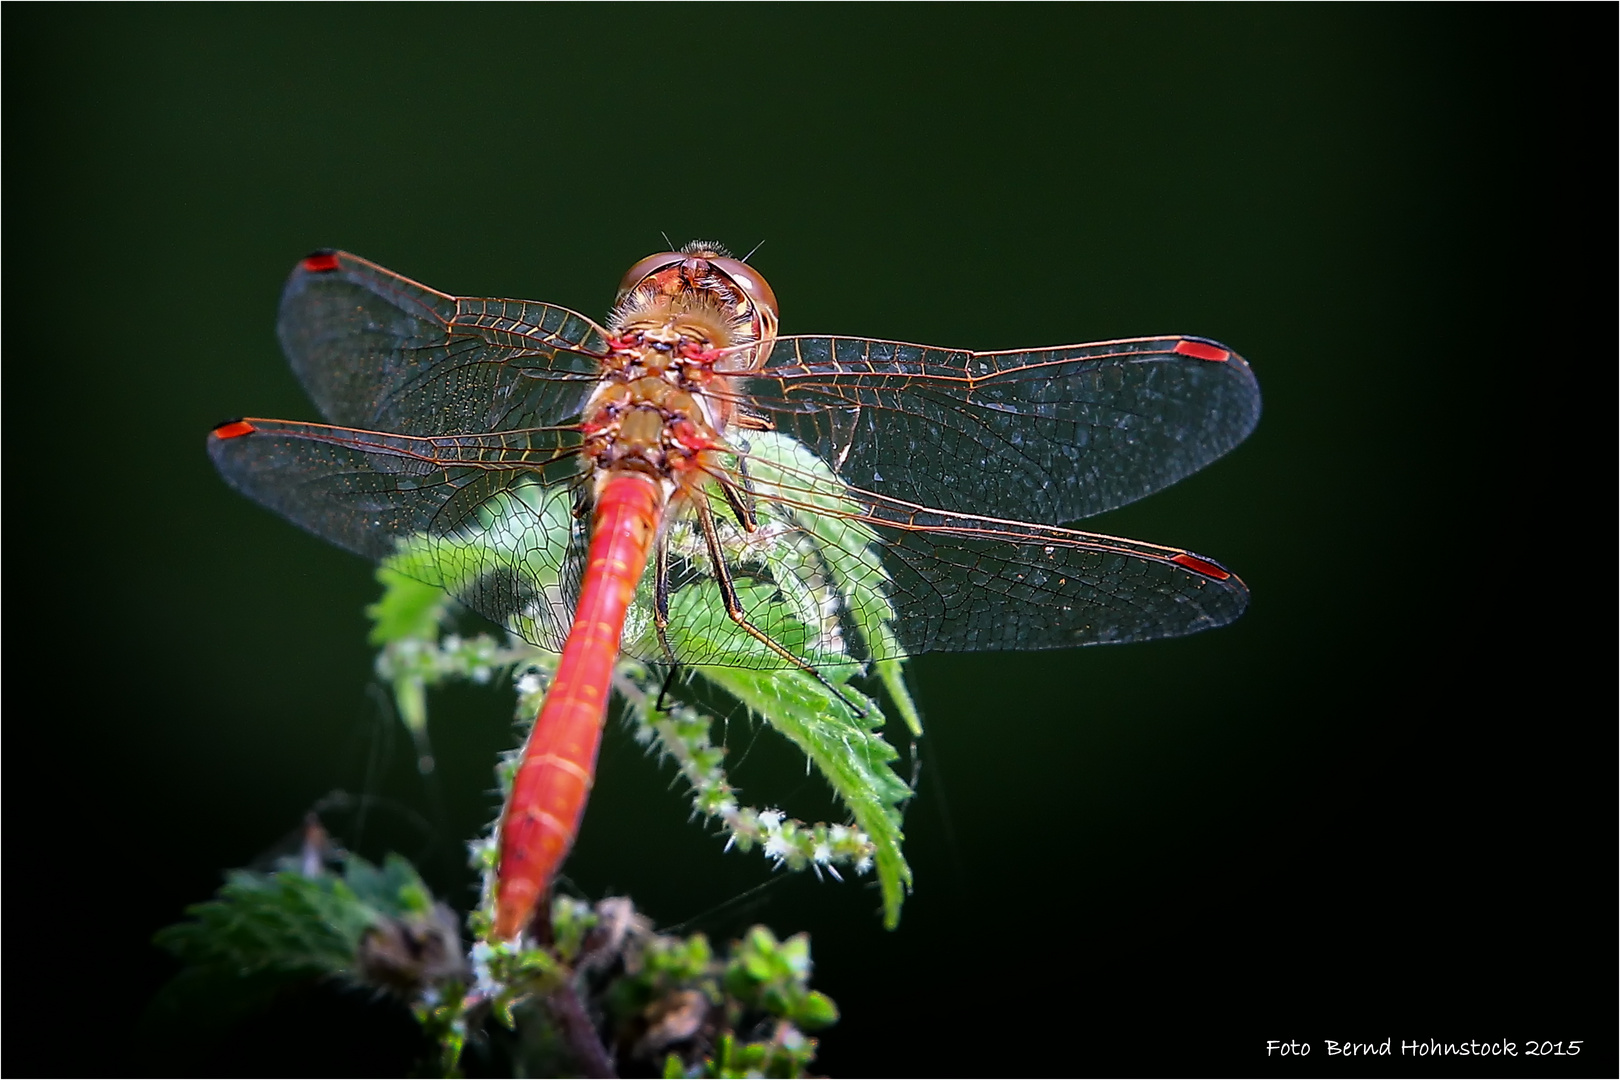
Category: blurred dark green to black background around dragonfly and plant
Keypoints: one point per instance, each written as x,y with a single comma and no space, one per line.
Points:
1378,807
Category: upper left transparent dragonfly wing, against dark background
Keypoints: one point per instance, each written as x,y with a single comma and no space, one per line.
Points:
382,352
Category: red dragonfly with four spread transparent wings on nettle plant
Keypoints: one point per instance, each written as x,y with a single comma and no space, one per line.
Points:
691,488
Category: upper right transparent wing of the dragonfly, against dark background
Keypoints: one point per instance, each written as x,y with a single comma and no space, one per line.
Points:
1047,435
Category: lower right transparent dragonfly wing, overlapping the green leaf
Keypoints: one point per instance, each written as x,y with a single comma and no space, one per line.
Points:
842,576
